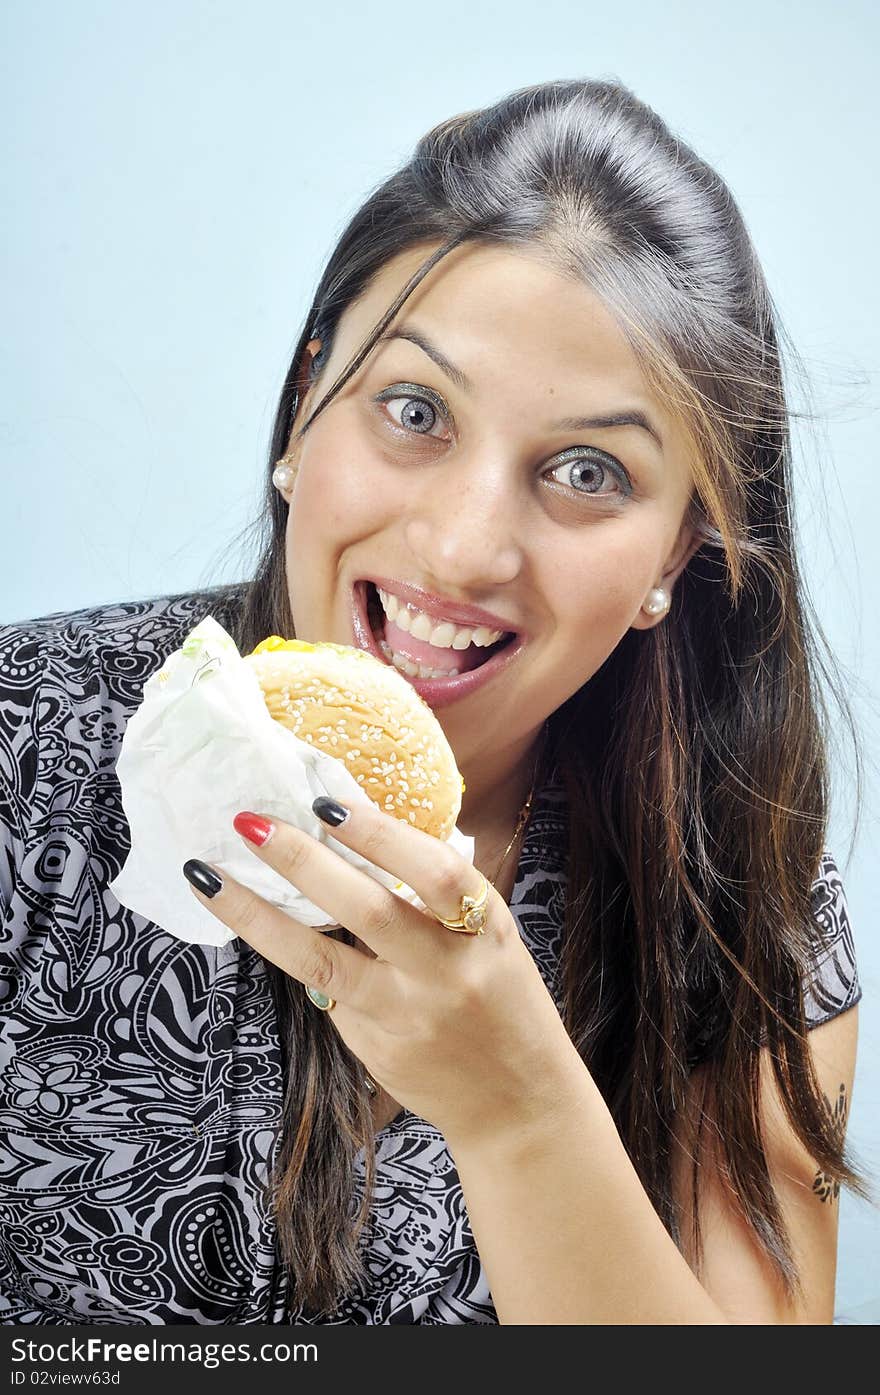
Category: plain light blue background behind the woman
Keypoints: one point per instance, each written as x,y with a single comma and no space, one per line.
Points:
175,176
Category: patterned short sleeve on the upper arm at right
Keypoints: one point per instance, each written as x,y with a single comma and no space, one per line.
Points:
833,986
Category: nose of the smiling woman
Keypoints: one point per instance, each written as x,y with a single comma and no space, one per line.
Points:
466,534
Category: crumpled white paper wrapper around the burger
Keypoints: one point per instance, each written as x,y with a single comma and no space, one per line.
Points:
200,748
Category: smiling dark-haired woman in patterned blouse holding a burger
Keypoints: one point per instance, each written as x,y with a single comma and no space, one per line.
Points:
539,393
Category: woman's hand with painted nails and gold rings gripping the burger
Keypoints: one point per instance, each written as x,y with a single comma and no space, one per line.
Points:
458,1027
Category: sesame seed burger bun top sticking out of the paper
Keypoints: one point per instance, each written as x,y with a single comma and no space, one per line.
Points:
354,707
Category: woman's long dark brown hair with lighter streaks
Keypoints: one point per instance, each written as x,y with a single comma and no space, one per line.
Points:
699,806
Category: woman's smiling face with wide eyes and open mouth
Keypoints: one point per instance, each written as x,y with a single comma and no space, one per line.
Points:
472,486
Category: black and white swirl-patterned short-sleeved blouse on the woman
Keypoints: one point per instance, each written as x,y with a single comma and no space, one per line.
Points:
142,1076
